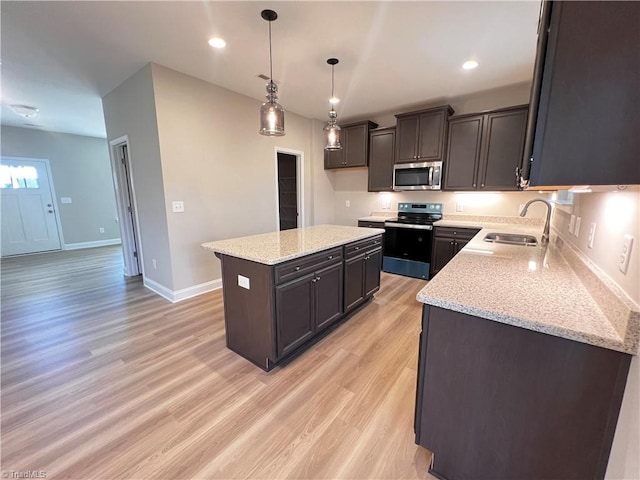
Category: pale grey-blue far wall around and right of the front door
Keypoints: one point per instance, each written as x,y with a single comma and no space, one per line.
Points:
81,170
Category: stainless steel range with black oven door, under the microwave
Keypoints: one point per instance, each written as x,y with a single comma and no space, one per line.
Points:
408,239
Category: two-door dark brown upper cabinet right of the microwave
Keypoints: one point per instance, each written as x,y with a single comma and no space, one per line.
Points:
484,150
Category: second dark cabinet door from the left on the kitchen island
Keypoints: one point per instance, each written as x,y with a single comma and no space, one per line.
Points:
328,295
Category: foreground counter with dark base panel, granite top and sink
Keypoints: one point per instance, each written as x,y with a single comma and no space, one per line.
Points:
524,356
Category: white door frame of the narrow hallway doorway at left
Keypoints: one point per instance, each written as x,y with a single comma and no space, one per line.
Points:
126,231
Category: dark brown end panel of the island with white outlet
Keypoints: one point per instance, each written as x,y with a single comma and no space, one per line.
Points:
249,312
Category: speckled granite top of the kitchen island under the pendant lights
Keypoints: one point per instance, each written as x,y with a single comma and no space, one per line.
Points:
277,247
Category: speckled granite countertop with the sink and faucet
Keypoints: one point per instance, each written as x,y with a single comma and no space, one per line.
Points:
537,288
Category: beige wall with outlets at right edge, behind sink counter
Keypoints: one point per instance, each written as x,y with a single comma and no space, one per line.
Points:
615,214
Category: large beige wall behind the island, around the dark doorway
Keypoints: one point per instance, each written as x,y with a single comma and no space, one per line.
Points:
214,160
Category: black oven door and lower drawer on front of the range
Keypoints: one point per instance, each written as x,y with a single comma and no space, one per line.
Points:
407,249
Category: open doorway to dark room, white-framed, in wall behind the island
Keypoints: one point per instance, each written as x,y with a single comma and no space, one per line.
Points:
289,168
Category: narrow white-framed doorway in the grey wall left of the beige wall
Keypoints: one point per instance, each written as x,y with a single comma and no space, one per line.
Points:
126,204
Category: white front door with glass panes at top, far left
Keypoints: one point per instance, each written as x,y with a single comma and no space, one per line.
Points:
29,223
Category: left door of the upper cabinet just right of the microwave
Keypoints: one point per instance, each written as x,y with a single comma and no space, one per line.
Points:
463,153
